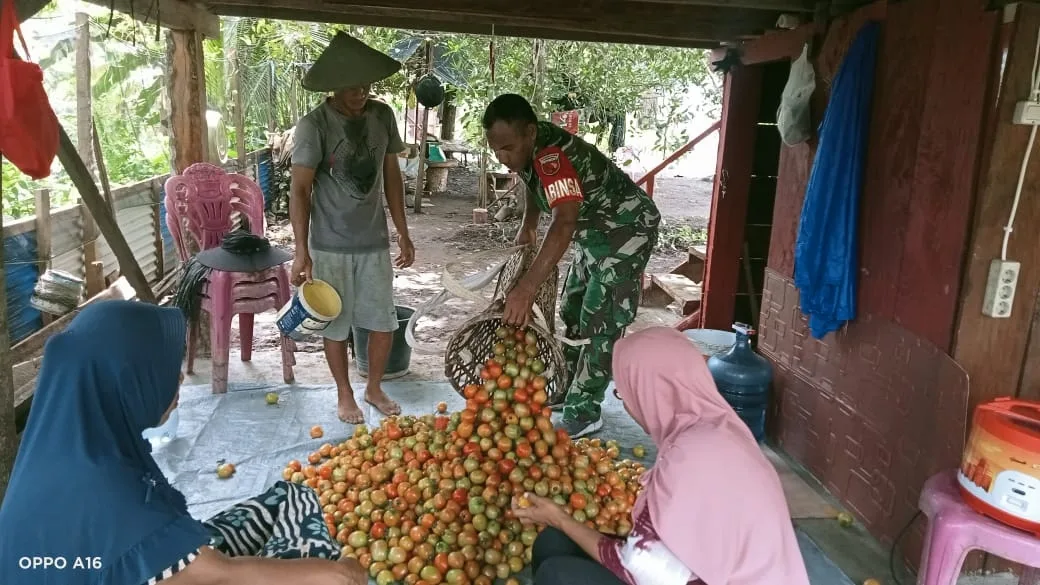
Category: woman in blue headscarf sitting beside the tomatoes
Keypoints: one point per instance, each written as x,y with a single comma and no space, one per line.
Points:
87,503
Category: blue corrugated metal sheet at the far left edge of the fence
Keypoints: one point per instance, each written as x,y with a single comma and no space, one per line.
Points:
21,274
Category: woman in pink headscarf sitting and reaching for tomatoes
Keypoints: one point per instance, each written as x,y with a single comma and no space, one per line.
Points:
712,512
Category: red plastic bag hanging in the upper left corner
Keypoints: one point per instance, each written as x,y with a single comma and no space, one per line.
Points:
29,126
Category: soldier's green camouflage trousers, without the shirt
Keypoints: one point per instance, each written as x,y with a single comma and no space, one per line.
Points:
601,298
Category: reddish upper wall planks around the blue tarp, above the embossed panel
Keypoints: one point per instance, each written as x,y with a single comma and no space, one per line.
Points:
922,163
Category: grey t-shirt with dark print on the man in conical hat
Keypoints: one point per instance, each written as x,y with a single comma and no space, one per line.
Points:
348,155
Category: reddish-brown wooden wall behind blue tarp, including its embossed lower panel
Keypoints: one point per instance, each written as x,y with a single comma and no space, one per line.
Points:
935,70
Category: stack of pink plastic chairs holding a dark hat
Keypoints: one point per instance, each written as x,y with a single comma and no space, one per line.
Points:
201,205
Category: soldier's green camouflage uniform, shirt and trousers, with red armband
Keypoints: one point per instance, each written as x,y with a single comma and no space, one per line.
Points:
617,232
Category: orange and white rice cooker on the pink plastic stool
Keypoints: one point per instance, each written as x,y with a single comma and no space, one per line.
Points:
1000,475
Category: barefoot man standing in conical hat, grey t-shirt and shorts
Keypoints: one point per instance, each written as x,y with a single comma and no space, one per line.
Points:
345,163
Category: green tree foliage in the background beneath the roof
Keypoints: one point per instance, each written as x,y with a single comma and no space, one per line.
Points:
606,82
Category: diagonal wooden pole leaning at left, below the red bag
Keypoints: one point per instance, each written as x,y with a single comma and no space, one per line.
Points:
92,198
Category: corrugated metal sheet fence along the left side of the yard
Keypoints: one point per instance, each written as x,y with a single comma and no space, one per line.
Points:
141,213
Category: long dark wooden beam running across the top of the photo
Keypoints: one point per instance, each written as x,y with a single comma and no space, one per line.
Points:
666,24
